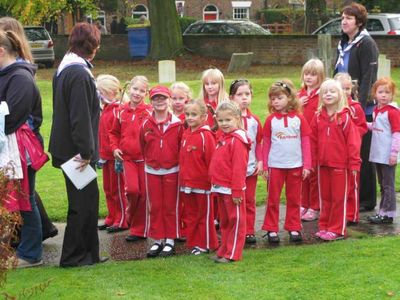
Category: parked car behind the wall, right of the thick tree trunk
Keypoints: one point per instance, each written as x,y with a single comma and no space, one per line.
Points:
225,27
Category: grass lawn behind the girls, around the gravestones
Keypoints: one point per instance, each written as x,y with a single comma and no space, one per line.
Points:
50,182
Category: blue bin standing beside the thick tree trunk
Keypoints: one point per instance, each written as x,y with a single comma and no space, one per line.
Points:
139,40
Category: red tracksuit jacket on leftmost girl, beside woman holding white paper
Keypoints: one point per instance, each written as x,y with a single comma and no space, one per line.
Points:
107,117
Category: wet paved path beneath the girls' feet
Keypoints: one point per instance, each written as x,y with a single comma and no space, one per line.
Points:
114,245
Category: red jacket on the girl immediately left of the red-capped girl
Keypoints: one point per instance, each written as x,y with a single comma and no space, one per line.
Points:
125,131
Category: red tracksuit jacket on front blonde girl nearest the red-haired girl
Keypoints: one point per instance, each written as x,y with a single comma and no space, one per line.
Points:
335,141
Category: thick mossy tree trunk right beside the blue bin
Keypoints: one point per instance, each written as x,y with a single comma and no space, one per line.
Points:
166,36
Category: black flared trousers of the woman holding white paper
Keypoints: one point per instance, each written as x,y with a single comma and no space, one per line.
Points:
81,240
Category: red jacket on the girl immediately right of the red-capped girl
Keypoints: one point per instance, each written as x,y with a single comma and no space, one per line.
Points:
195,155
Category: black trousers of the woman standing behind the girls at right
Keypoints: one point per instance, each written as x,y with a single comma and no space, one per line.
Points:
367,173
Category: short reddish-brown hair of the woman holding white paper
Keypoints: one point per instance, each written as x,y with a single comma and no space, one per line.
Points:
84,39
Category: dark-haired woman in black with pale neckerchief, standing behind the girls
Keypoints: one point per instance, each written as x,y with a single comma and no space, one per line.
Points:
358,56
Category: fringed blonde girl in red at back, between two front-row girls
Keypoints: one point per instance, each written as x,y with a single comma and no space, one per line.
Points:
312,75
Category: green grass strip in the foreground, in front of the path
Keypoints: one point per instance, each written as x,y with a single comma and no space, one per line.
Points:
351,269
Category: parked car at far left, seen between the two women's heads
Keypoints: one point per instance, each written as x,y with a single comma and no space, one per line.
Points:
41,44
